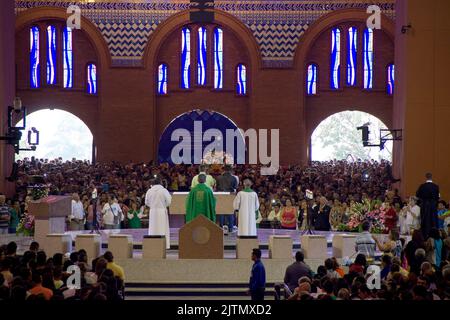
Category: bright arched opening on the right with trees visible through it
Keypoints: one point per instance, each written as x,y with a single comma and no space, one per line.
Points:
337,137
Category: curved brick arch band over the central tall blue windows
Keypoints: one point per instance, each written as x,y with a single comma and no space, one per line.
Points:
179,19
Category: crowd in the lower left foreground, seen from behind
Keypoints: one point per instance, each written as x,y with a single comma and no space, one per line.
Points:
35,276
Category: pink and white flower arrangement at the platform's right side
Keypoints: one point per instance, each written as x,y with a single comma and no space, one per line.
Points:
371,211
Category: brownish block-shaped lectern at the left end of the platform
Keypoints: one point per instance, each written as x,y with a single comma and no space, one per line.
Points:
50,216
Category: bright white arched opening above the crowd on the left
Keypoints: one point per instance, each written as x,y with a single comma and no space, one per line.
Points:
62,134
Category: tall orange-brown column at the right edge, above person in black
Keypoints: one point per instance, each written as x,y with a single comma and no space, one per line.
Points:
422,98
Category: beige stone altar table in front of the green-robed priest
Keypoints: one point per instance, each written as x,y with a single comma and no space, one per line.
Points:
224,203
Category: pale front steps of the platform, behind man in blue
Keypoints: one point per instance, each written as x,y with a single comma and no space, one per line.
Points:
224,279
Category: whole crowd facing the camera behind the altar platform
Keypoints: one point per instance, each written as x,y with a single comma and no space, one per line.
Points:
122,188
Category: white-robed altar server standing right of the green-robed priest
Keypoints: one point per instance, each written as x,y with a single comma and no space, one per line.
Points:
247,205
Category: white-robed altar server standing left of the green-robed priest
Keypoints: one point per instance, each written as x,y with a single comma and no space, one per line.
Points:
158,199
